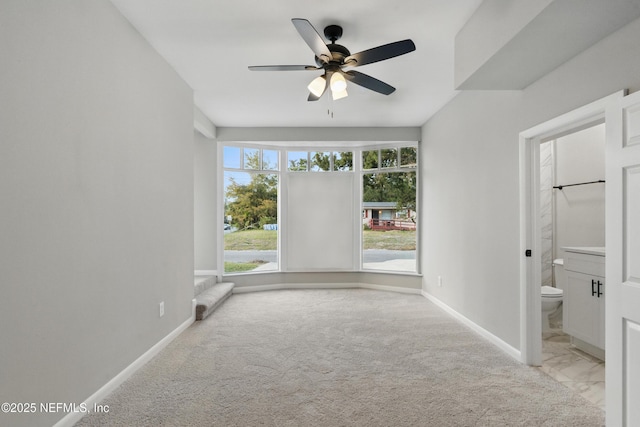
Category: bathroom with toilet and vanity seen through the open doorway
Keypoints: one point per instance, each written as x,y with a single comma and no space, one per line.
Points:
572,210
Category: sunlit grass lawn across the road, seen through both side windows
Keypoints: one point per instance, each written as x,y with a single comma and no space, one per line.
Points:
267,240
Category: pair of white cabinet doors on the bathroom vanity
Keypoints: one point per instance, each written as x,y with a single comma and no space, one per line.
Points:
581,308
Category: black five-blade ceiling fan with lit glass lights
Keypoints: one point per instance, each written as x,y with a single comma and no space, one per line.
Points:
332,57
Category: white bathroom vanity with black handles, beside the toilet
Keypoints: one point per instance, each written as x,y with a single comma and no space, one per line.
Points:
584,298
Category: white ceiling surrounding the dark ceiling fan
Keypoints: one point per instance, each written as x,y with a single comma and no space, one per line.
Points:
210,43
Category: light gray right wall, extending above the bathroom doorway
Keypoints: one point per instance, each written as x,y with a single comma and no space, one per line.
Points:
469,165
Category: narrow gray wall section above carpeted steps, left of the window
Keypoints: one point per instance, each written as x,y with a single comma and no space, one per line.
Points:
206,222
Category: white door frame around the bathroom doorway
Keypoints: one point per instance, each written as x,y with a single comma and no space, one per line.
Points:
530,236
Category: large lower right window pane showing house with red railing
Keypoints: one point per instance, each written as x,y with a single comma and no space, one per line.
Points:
389,221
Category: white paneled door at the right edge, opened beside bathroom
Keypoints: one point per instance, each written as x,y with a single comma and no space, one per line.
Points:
623,261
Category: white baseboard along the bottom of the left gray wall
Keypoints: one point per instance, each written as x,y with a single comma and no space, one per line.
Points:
73,417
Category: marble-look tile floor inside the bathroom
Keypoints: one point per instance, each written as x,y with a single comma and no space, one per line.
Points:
574,368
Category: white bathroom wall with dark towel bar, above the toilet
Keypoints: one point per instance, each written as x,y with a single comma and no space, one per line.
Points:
579,210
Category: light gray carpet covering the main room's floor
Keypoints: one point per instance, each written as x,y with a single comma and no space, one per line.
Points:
350,357
